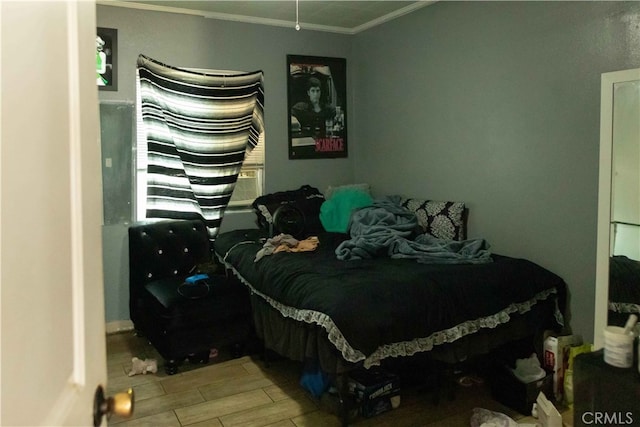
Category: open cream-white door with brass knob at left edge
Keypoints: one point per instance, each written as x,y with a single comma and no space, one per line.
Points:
52,312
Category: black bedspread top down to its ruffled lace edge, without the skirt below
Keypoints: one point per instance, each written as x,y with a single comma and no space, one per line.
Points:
374,307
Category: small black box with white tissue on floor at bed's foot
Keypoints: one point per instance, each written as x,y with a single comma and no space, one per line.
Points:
507,389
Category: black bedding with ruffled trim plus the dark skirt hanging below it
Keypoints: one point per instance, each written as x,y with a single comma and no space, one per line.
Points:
346,314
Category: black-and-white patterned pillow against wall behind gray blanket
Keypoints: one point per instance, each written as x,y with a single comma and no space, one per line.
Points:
444,220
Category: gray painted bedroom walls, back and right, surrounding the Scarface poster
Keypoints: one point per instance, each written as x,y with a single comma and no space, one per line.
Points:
493,103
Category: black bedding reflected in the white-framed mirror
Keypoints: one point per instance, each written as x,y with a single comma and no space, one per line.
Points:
624,289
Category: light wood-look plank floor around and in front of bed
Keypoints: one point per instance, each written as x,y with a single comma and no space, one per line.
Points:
244,392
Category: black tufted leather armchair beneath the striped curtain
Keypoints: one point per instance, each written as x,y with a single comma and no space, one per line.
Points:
182,321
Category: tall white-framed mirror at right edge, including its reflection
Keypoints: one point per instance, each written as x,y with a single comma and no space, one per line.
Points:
618,252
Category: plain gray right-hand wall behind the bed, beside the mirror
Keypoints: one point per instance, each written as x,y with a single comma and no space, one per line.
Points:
498,104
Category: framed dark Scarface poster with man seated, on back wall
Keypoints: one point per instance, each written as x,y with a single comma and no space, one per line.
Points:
317,107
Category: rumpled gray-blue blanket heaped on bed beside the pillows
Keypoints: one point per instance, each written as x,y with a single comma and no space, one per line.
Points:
386,228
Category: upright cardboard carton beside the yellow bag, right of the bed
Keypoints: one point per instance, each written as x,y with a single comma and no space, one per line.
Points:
556,360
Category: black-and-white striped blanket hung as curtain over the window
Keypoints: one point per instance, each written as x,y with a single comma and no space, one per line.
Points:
198,127
